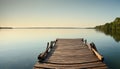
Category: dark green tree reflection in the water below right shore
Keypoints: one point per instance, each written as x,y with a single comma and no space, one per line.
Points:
113,33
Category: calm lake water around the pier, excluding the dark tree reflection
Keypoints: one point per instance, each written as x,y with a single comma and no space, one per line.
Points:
19,48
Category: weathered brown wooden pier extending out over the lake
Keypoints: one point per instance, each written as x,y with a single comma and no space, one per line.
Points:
70,54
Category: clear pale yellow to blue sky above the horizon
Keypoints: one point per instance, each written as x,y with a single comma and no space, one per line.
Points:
67,13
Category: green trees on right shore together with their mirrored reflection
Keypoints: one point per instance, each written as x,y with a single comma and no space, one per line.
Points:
112,29
